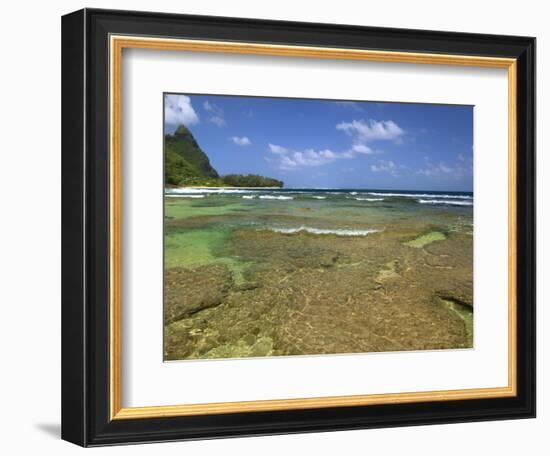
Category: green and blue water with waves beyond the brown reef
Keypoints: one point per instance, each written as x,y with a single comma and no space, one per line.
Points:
200,222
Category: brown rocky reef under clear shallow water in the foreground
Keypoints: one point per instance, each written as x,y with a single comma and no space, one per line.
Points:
306,294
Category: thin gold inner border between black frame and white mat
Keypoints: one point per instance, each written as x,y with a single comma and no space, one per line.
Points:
117,44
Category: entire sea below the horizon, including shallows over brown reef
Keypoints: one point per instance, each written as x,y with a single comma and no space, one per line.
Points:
299,271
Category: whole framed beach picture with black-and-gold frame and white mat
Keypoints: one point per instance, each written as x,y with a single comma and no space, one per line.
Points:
278,227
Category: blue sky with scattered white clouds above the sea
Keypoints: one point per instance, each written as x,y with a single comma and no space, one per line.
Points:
338,144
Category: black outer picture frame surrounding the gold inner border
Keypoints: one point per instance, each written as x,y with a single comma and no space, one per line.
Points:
85,225
